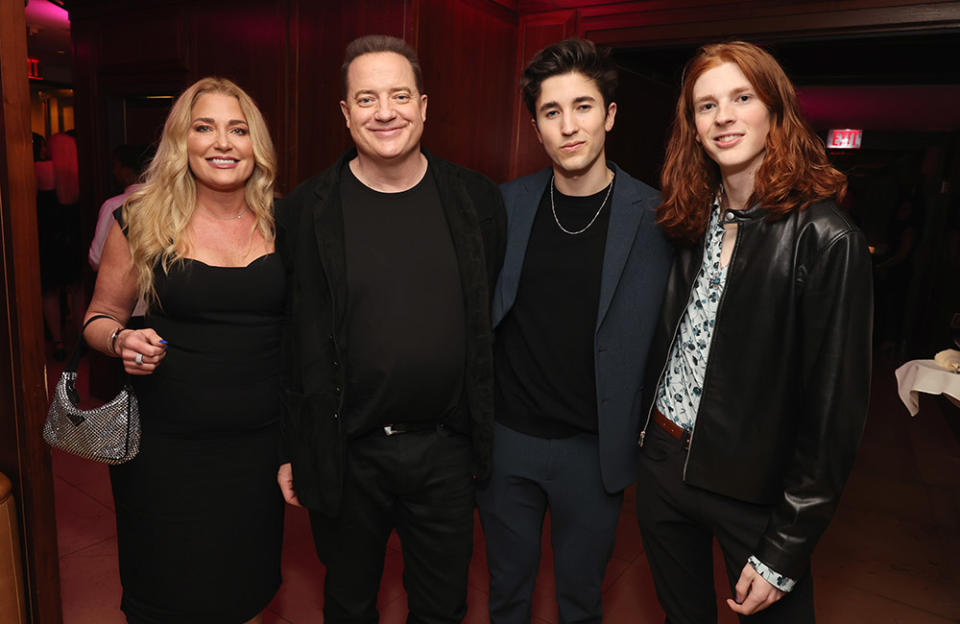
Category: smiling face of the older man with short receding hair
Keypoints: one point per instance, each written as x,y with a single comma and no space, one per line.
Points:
384,110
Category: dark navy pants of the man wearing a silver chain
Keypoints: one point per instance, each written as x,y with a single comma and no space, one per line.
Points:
530,474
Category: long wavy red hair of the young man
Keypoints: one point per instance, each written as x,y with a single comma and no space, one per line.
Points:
794,173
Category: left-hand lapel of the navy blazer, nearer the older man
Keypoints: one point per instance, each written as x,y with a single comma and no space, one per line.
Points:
521,205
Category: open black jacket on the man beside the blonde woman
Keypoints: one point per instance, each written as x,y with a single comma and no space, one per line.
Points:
310,238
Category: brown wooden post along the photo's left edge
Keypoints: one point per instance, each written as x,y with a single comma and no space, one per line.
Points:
23,455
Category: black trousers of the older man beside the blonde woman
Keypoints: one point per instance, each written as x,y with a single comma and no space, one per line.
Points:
421,484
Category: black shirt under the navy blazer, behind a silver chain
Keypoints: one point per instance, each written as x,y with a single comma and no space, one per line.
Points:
546,385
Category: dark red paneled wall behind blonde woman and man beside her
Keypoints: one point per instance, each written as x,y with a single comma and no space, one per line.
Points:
287,55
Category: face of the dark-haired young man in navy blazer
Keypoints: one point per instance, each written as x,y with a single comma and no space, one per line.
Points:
572,123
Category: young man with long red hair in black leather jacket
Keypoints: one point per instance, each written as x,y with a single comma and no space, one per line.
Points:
757,387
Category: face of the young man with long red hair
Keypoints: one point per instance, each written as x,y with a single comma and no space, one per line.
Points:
732,122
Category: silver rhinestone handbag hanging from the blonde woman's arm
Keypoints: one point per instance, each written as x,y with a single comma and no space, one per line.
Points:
109,434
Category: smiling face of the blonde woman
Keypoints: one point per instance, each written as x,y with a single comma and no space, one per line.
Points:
219,147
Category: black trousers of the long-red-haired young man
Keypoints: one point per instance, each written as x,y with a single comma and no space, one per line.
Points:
679,522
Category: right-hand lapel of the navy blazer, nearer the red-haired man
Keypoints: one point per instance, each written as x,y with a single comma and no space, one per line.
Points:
627,212
